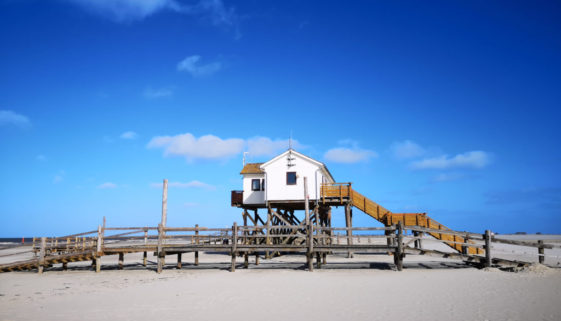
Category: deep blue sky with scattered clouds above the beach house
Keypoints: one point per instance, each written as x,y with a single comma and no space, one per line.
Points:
444,107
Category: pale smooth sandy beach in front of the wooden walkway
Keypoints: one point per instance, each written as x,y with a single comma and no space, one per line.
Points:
360,288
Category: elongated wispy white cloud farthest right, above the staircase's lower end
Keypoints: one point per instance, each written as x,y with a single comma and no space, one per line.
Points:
472,159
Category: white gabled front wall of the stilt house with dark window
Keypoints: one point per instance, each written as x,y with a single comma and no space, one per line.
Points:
278,190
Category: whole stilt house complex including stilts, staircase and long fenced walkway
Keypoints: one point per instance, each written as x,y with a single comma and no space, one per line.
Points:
286,207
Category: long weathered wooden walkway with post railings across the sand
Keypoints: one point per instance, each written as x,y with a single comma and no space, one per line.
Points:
242,241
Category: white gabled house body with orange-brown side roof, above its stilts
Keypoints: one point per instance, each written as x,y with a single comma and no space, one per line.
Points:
281,181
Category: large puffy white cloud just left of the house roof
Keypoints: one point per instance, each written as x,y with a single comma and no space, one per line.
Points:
208,147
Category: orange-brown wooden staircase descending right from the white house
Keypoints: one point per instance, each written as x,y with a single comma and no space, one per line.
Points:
345,193
